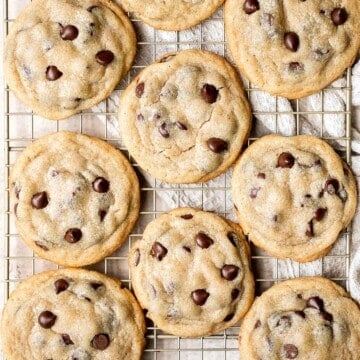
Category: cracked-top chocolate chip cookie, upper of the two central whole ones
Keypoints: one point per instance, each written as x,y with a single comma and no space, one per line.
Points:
185,118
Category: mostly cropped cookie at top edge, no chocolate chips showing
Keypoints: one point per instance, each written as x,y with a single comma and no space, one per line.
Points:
170,14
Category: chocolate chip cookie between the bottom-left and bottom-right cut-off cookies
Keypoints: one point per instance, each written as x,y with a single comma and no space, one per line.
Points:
191,272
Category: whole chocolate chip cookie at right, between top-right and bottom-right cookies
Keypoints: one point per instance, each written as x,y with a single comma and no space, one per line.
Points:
293,196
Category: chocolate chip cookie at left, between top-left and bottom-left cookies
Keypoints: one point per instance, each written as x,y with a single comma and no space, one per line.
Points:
75,198
